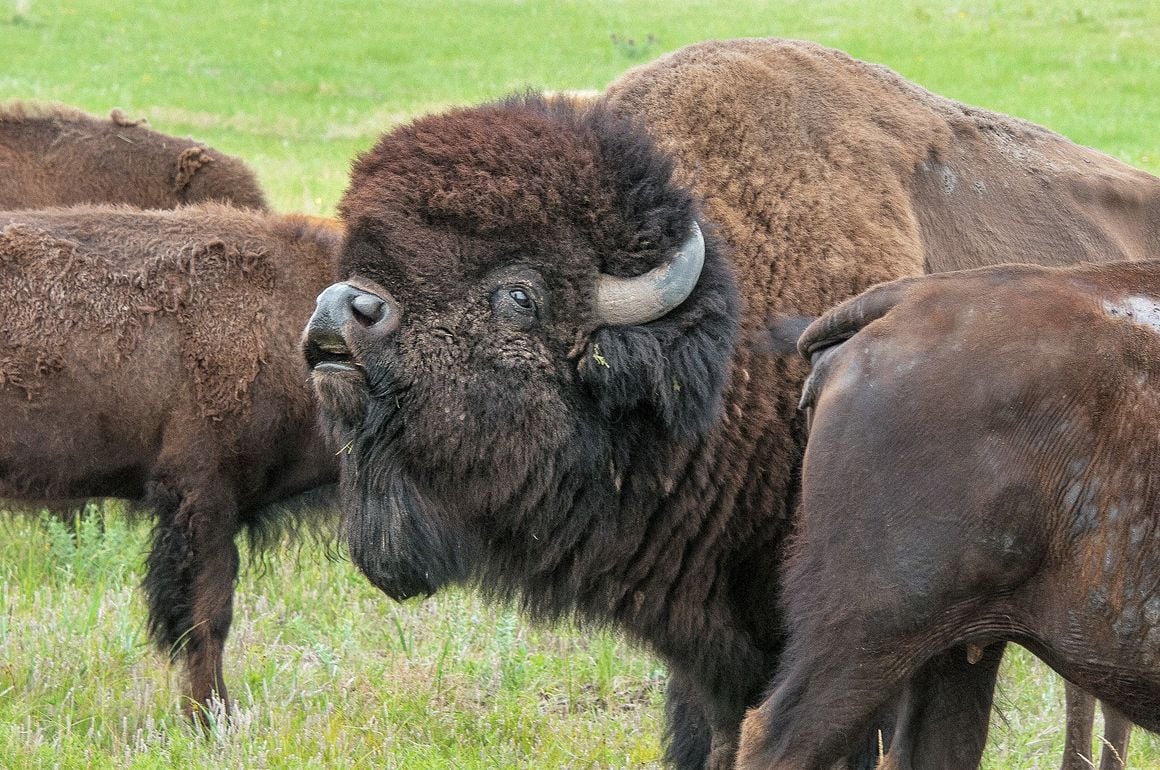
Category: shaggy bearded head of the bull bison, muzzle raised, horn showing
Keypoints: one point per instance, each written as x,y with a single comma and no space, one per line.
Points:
530,324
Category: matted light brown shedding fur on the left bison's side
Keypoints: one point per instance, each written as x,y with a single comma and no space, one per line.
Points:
219,292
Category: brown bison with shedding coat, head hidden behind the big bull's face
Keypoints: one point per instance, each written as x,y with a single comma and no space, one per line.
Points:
154,357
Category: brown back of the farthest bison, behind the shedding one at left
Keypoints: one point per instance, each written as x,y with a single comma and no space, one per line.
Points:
52,155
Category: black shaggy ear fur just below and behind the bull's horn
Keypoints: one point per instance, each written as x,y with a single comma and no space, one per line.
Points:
672,371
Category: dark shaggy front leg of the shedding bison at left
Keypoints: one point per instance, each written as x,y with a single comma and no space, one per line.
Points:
190,579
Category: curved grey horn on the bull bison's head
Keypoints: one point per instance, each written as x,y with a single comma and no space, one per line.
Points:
643,299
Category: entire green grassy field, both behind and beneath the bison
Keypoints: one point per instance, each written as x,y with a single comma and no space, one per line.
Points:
328,672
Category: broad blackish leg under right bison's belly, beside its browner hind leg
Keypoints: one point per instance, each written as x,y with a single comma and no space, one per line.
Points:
947,713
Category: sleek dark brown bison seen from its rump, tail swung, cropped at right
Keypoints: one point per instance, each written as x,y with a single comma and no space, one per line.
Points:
981,469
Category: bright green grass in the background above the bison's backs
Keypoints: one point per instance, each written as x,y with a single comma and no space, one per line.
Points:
300,88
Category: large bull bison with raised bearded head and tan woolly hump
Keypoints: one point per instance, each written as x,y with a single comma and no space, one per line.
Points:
543,373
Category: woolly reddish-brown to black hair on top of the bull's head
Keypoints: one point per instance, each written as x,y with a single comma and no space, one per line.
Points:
483,172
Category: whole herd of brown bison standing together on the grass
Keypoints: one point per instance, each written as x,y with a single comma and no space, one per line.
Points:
569,351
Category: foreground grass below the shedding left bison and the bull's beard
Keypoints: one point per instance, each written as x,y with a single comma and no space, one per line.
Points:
325,672
